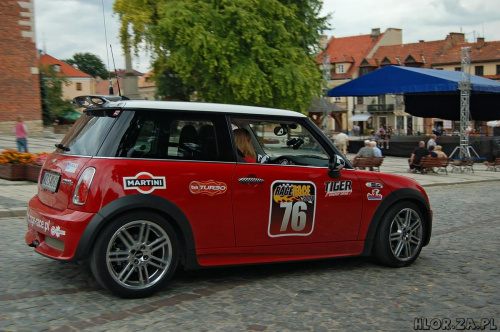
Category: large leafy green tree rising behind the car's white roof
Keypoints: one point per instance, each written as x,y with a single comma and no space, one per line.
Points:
244,52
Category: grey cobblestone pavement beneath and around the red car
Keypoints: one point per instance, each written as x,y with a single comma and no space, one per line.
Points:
456,277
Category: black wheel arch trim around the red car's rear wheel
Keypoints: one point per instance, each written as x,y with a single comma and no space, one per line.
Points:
163,207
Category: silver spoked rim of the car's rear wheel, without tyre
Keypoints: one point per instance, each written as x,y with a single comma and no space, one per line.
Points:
139,254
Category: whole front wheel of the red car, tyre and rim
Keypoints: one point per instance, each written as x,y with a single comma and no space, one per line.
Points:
400,235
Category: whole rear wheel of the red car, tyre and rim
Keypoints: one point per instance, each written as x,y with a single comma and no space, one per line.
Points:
135,255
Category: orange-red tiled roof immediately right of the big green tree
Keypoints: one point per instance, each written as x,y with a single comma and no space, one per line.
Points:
349,50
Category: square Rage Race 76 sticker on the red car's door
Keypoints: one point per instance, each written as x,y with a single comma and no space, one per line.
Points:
293,207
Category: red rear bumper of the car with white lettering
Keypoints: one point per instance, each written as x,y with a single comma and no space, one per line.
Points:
55,233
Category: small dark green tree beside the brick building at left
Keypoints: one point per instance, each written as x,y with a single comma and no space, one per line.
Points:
53,106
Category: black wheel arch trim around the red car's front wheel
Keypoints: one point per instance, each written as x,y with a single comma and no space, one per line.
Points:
403,194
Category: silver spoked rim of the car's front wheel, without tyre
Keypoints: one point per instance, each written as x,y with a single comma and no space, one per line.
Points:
405,234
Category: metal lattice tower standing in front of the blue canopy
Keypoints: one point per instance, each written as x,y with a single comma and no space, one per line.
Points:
464,150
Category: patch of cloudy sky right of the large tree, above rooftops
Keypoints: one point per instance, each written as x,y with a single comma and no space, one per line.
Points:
423,20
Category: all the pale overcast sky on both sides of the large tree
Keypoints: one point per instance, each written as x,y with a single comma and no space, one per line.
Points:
66,27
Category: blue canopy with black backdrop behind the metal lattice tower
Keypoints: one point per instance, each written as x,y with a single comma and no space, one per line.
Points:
427,92
